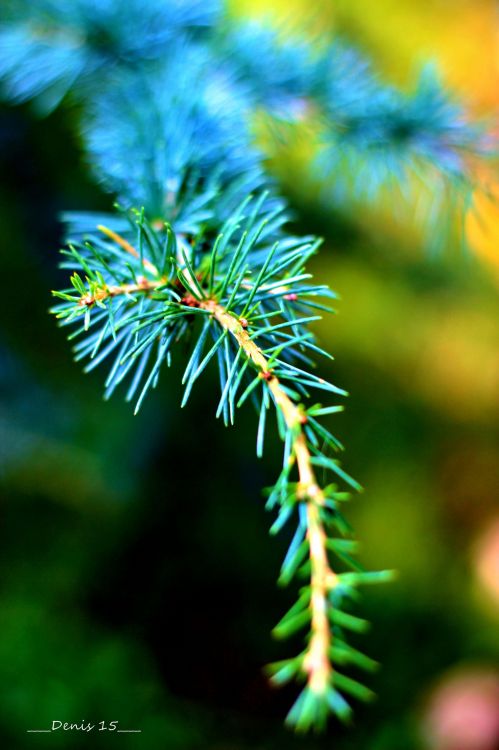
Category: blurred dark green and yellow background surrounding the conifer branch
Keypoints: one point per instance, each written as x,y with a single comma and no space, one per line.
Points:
134,588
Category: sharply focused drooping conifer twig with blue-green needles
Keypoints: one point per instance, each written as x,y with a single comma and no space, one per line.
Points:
254,296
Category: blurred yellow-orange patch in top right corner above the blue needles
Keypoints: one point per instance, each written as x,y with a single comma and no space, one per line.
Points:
461,35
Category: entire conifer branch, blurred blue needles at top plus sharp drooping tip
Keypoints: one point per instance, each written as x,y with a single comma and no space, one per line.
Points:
209,259
